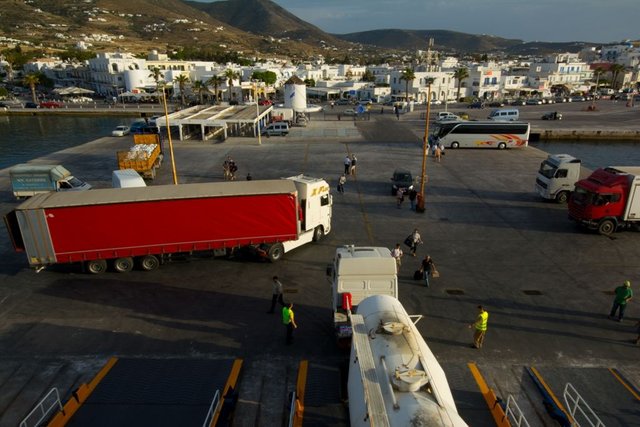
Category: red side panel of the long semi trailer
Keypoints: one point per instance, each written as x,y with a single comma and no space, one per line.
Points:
164,226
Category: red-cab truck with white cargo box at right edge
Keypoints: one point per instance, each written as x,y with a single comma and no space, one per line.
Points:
608,200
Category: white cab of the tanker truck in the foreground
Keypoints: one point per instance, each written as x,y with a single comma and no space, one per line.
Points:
356,273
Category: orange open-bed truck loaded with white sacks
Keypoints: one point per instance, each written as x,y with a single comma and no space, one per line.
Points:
144,157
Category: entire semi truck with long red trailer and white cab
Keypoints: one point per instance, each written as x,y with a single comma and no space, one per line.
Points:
145,226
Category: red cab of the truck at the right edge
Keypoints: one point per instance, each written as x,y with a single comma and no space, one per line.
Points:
600,201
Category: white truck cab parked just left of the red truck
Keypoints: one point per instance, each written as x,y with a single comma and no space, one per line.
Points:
557,177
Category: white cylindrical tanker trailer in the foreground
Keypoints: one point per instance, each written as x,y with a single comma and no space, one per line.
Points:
394,378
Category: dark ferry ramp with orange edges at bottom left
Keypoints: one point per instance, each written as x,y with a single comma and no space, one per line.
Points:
164,392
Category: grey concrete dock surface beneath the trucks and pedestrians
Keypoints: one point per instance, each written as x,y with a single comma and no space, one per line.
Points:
546,284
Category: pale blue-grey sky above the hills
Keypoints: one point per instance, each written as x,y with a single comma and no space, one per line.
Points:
528,20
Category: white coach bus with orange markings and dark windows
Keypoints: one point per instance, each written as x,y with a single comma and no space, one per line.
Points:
481,134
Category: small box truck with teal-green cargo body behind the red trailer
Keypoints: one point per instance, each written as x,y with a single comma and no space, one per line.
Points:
28,180
